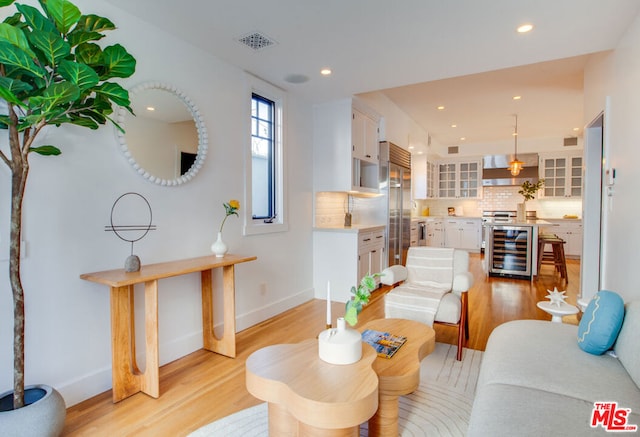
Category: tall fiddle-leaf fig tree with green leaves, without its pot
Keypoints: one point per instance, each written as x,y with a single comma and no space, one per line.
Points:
52,72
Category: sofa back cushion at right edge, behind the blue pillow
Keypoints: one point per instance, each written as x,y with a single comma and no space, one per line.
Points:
627,346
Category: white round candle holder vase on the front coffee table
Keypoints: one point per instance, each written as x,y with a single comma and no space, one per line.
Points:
340,345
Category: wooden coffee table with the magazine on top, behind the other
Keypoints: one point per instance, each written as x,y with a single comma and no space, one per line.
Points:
400,374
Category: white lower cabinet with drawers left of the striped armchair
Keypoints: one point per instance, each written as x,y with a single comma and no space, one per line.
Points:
342,256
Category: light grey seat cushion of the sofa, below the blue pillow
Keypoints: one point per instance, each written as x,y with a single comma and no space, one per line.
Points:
544,356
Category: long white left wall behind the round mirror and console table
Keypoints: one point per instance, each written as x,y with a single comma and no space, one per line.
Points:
68,202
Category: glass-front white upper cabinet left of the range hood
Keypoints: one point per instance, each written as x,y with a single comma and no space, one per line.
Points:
459,179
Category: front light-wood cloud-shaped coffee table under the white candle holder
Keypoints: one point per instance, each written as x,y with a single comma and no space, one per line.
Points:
309,397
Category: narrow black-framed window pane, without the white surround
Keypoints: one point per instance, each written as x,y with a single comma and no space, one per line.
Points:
263,184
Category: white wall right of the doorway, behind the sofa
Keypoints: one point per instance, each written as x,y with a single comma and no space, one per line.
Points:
617,76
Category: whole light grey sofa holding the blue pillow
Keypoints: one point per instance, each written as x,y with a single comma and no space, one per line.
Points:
536,381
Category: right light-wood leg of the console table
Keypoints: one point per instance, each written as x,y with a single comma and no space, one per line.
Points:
226,345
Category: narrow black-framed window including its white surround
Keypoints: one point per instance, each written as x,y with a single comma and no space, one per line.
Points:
265,184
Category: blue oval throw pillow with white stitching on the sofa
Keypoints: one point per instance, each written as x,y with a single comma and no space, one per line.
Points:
601,322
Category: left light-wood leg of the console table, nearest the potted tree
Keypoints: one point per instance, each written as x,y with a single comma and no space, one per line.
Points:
126,377
